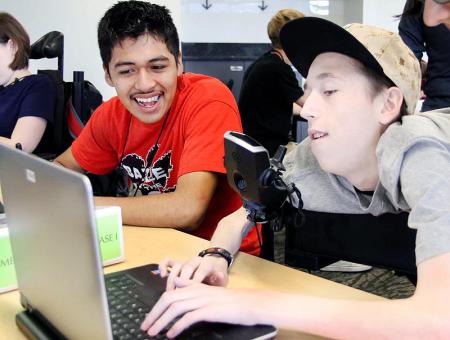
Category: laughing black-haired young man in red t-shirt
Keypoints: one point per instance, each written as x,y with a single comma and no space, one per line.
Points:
164,128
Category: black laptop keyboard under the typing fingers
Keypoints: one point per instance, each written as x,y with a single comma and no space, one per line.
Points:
127,312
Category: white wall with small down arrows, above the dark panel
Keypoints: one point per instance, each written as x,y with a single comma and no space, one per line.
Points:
242,21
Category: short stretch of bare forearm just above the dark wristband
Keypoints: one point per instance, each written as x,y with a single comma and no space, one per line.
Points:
230,231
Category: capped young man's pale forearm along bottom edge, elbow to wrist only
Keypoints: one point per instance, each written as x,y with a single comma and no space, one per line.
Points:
346,319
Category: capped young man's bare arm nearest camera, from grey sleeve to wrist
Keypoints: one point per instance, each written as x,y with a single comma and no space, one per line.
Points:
423,316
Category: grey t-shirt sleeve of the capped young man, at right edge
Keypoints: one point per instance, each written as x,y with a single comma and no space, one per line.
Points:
425,185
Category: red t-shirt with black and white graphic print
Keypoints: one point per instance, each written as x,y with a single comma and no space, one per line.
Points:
191,140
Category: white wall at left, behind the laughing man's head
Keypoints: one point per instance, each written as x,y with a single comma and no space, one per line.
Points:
78,20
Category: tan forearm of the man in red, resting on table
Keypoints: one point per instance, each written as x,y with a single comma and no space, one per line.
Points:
163,211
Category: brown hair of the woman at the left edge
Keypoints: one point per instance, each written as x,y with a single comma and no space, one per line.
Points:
11,29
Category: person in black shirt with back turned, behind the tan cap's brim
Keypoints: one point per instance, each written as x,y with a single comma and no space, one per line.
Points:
269,90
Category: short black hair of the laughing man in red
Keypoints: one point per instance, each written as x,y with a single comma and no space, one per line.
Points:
131,19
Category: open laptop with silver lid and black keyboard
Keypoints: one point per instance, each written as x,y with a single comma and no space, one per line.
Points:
51,221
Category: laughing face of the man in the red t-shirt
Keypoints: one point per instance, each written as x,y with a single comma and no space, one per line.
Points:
144,74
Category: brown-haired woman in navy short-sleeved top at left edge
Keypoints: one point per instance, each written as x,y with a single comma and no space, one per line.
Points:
27,101
